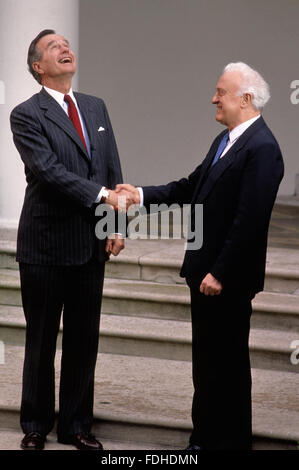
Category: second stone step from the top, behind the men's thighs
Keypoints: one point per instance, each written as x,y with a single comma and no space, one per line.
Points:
168,301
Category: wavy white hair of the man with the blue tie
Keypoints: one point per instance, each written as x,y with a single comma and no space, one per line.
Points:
253,83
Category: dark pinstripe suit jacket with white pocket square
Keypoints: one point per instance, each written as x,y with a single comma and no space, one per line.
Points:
57,223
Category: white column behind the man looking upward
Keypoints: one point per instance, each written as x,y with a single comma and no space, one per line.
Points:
20,22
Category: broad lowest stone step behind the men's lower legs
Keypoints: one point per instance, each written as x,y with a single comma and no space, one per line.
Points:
148,400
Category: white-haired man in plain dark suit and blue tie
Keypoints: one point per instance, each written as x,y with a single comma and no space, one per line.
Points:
237,184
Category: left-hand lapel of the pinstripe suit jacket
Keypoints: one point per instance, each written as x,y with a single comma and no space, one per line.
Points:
55,113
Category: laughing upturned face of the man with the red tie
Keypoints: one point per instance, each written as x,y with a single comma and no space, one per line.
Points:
57,59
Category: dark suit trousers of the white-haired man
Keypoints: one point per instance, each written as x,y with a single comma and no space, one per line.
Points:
221,409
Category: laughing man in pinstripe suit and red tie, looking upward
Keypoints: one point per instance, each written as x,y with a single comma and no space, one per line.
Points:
68,171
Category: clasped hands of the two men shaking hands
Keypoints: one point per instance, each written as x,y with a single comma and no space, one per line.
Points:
122,197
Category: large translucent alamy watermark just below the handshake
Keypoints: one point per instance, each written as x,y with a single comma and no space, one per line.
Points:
186,222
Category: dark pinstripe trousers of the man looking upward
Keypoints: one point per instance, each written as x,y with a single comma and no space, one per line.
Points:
46,292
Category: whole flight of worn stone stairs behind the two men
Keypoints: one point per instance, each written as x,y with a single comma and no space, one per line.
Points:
143,388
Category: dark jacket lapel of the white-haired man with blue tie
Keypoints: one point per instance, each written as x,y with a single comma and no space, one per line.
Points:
224,163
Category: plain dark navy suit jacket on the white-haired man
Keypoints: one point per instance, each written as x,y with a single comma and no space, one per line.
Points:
238,194
